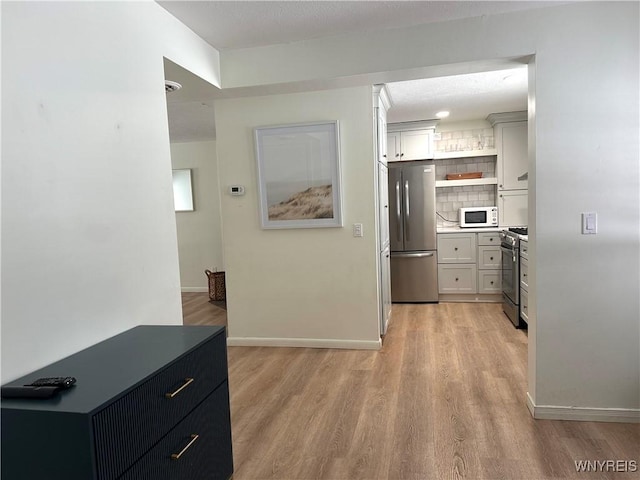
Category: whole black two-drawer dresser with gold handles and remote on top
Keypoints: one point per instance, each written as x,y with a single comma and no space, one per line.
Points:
149,404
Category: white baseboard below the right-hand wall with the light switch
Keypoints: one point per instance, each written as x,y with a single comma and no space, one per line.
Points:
553,412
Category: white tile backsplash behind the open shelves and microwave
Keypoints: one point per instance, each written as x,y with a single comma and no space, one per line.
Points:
450,199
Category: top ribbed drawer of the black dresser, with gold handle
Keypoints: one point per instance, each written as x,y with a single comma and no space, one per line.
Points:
146,414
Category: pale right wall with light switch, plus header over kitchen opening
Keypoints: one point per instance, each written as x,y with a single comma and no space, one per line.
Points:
585,288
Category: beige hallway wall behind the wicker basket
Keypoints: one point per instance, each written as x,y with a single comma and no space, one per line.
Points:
200,231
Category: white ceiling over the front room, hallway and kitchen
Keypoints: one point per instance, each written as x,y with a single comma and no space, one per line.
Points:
241,24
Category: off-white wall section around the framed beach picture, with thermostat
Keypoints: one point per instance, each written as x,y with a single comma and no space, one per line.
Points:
300,286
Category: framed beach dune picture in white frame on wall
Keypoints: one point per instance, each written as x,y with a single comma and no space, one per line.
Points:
299,175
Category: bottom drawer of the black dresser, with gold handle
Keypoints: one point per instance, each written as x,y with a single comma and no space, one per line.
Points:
208,456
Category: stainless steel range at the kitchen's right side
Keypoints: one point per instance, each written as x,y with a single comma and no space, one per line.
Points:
510,246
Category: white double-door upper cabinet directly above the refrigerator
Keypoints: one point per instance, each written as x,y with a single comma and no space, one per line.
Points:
410,141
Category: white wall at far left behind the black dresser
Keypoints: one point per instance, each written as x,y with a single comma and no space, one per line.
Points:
88,227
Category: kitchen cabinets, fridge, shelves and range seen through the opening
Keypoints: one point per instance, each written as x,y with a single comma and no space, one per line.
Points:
456,209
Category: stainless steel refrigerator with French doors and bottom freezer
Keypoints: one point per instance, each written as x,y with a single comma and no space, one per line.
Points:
412,231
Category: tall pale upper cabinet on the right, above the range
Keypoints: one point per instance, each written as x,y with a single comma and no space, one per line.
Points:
511,141
